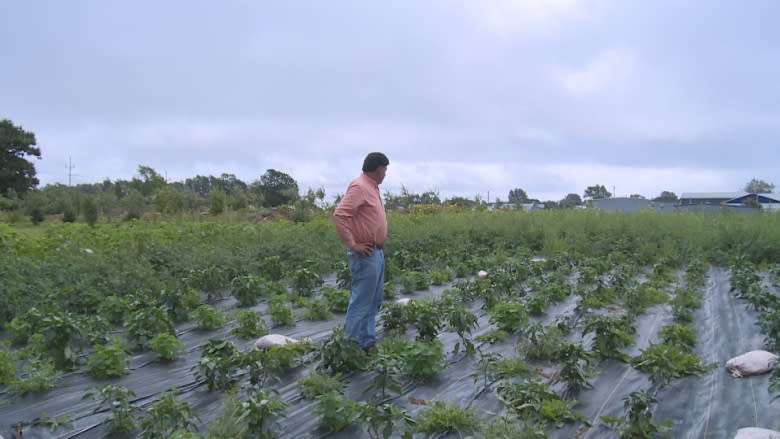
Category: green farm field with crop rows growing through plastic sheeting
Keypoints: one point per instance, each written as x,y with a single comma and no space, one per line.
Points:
587,324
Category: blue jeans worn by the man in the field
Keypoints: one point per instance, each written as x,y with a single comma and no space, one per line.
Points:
368,277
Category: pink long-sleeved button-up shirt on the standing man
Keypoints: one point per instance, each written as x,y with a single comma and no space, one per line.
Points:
360,215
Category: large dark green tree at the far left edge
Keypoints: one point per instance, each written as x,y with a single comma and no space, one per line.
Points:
16,172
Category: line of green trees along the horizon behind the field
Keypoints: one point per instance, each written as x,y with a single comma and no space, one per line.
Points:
19,192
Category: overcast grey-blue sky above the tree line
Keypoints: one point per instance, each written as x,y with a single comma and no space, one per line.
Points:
465,97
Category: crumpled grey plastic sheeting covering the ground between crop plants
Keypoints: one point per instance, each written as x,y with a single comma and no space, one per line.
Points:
714,406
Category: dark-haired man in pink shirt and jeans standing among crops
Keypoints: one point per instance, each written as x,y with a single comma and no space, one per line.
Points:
362,226
